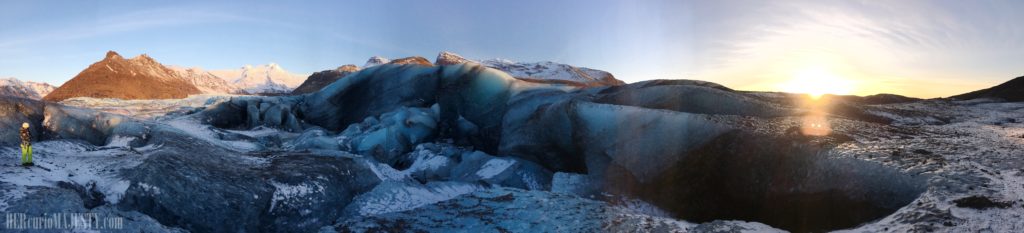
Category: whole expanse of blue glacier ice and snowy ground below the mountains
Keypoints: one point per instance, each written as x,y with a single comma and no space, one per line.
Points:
405,149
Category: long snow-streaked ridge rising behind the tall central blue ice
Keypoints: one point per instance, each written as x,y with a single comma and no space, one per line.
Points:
539,72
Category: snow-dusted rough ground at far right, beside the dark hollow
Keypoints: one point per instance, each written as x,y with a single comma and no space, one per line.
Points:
977,150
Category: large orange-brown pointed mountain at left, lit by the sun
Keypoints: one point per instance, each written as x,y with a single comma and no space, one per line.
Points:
115,77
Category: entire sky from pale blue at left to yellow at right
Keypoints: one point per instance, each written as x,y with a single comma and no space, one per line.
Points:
916,49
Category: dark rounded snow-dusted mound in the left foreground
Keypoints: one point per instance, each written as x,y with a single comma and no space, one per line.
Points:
203,193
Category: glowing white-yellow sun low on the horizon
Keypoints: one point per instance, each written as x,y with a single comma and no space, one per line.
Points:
817,82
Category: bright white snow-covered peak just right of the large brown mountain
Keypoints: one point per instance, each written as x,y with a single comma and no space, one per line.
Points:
268,79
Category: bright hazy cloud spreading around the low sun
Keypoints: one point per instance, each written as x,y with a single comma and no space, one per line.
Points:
879,44
